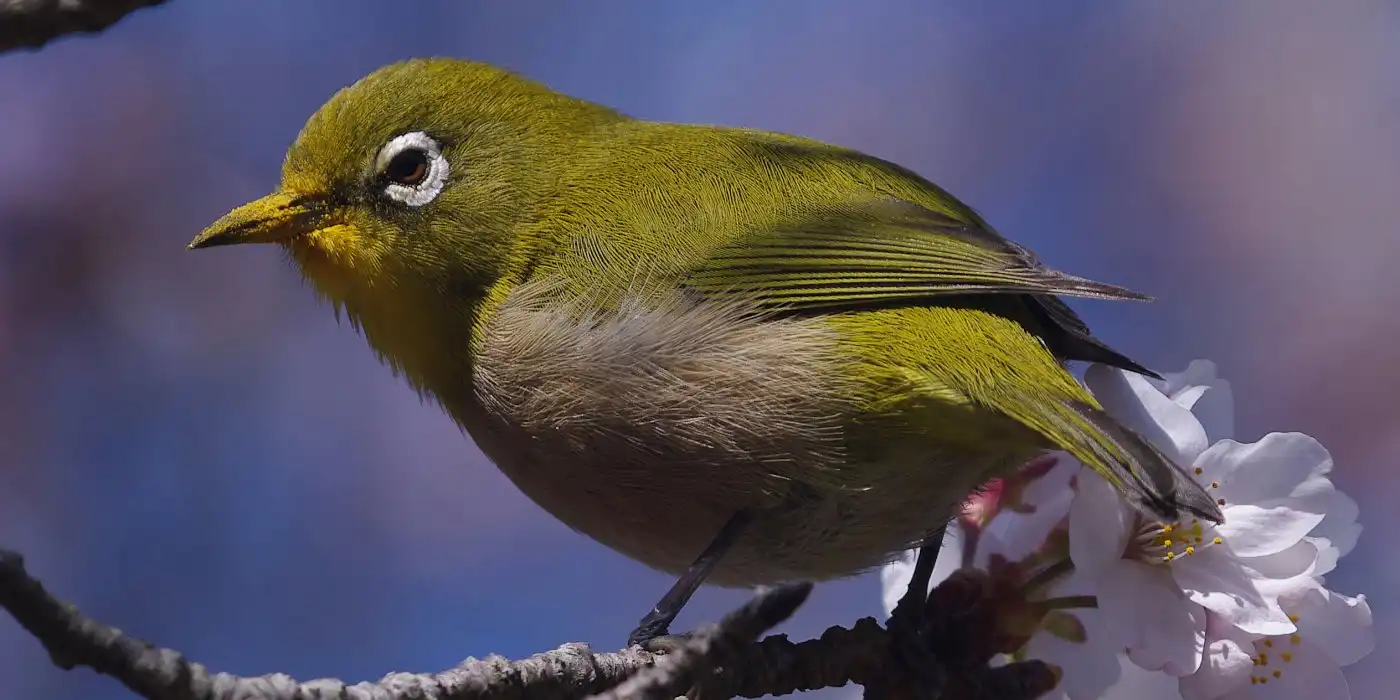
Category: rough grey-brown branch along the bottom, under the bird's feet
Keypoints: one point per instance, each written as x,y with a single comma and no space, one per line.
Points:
720,661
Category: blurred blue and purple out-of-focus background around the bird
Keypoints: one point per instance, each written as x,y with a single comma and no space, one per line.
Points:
192,450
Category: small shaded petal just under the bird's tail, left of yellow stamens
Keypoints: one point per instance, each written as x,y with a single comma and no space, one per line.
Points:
1100,526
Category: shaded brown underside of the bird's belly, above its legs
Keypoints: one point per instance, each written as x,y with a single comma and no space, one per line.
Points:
664,516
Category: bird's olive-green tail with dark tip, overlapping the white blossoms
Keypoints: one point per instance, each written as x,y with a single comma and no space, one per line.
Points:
1150,479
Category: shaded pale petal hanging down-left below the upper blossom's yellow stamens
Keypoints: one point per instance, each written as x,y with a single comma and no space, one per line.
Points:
1144,611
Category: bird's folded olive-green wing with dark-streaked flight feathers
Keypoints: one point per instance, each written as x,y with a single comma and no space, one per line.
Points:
884,250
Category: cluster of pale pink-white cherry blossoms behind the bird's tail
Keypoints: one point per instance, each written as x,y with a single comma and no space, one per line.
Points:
1175,611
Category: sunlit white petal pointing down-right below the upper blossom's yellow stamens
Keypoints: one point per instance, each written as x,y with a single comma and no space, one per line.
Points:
1216,580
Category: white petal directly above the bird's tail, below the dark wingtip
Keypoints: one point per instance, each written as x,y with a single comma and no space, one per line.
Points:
1139,405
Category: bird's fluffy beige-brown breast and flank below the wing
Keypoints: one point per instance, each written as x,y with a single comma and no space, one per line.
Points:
647,425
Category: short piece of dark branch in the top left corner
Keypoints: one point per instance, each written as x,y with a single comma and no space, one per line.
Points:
29,24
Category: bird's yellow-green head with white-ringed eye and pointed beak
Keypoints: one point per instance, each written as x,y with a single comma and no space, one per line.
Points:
419,177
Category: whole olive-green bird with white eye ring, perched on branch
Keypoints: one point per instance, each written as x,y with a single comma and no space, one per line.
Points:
737,356
